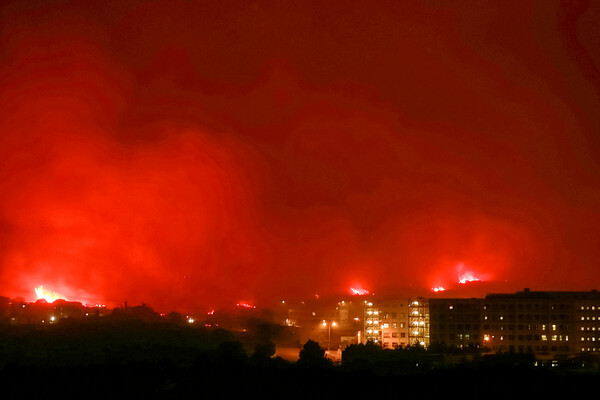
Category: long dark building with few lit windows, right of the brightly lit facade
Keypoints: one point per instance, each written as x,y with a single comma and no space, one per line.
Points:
549,325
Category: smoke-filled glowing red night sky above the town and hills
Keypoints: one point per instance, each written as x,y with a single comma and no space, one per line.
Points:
190,153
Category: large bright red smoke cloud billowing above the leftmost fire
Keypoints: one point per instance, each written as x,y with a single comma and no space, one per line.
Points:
107,210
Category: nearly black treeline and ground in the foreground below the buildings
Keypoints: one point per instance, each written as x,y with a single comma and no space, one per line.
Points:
121,356
